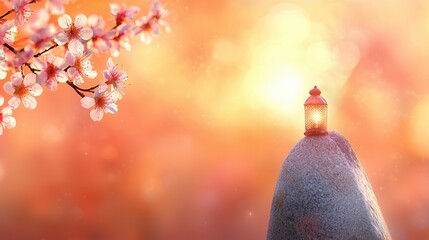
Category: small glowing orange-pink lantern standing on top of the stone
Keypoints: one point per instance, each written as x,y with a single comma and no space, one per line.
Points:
316,114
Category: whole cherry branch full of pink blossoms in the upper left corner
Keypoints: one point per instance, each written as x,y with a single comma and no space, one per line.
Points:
48,54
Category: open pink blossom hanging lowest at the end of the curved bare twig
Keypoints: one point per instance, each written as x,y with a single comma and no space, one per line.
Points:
101,102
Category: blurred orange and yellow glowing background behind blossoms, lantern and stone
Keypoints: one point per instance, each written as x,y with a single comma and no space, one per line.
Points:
211,111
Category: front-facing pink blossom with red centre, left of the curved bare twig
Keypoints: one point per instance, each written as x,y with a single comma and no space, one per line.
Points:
51,71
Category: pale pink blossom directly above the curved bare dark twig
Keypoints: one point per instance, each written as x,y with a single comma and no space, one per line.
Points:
80,65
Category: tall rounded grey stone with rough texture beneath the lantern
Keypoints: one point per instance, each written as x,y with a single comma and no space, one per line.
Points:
323,193
